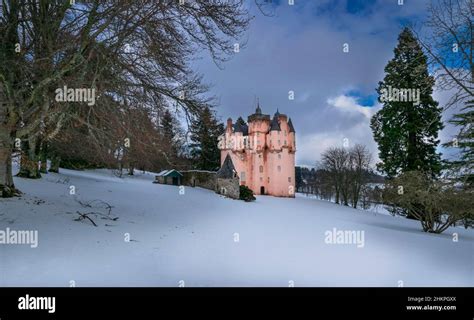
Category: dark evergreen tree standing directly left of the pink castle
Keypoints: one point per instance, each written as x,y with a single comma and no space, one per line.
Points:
205,130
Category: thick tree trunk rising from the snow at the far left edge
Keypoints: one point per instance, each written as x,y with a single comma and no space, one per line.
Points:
7,188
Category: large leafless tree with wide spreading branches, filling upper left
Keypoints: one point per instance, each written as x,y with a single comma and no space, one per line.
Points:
136,53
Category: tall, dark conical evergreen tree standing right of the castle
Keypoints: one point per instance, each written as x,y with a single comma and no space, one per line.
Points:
406,128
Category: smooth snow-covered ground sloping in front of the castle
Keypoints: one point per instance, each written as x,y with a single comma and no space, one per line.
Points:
202,239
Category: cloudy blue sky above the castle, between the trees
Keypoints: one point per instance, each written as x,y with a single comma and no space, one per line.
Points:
300,49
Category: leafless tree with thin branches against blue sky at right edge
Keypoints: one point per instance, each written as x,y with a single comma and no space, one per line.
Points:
449,42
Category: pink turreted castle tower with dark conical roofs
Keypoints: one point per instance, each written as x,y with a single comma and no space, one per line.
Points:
262,153
